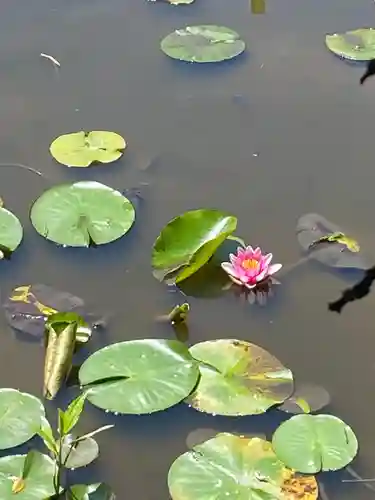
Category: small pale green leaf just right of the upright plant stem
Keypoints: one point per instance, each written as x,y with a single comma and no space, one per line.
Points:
78,454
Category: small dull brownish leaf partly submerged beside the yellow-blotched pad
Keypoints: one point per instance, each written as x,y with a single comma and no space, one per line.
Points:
314,396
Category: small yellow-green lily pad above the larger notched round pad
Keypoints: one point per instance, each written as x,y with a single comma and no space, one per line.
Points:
81,149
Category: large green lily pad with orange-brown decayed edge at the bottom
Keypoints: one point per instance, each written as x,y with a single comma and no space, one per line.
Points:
230,466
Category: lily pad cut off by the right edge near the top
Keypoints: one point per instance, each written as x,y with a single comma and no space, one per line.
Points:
356,45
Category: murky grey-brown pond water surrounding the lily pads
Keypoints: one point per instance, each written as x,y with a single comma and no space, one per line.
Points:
283,130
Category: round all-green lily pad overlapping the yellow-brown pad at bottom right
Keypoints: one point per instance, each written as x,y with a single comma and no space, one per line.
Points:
314,443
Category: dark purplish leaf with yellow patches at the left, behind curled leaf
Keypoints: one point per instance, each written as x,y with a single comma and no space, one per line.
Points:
29,306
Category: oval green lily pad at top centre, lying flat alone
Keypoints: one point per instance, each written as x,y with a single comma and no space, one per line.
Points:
203,44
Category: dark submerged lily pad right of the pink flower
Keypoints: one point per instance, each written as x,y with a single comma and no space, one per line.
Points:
313,228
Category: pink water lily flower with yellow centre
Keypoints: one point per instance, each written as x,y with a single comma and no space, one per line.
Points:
250,267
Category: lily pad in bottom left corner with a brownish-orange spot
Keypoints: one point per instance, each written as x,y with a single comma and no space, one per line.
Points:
38,483
